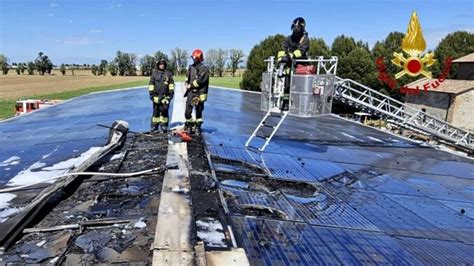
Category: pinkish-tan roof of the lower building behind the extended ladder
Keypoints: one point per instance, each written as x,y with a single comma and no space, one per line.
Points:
454,86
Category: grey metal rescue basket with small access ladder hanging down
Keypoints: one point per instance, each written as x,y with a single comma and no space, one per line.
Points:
310,95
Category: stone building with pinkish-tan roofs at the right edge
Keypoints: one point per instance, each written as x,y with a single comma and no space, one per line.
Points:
452,100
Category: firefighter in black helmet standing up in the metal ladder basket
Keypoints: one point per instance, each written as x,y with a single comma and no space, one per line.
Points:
294,47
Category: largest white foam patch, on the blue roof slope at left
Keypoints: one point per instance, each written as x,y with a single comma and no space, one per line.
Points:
38,173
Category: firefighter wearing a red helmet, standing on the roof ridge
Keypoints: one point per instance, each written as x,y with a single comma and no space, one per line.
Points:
197,85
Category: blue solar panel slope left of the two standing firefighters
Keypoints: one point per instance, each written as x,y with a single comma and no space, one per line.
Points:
66,130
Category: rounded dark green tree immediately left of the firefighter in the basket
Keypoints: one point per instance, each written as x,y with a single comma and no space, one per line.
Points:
255,65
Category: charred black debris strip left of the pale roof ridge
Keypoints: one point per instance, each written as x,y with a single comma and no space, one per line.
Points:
113,218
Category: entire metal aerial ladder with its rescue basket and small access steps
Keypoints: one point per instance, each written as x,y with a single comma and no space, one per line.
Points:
312,95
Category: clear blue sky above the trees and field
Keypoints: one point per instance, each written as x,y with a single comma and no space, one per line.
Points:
86,31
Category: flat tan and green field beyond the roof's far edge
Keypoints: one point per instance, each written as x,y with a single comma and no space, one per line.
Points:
13,87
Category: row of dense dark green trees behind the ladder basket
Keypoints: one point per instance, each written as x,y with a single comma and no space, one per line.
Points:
356,60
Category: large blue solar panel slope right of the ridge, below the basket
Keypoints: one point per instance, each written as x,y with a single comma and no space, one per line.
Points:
382,199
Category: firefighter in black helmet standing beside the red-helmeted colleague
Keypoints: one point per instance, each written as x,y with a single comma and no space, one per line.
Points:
161,89
